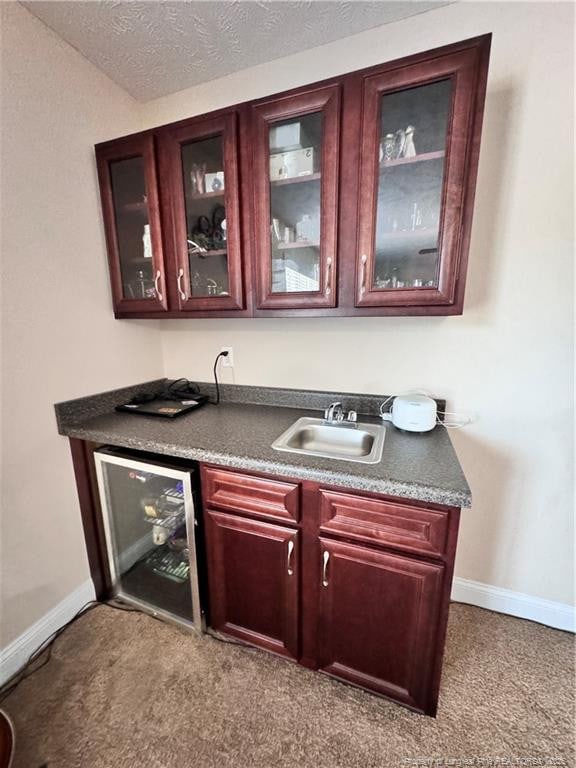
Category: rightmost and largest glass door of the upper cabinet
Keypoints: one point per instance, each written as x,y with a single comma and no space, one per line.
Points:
413,181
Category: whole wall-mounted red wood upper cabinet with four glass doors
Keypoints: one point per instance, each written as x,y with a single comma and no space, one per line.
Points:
353,196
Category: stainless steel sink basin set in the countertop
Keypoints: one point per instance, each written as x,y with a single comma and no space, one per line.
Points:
316,437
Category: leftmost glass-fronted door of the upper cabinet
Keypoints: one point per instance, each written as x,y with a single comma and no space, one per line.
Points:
128,185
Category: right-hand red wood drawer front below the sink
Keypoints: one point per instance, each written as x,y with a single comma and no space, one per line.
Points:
412,529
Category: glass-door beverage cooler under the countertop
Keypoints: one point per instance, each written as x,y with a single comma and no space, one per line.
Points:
150,519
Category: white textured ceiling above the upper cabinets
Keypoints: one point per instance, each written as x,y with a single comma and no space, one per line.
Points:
154,48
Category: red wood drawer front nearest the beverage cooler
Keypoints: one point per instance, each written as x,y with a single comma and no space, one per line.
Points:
256,496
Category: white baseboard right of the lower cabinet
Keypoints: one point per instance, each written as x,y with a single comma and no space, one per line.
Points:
557,615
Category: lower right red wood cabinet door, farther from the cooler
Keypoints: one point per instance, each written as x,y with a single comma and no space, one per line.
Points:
378,620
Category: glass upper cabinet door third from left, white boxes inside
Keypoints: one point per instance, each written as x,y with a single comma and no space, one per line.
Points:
296,194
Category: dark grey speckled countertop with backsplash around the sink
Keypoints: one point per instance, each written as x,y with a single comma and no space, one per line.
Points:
239,434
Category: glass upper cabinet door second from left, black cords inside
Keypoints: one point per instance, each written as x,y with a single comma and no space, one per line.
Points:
203,163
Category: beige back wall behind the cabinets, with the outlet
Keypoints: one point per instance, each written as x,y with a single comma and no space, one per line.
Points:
508,358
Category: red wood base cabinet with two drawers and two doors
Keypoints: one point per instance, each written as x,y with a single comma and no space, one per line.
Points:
354,585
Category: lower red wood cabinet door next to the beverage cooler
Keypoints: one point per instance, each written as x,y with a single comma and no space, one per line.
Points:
253,571
